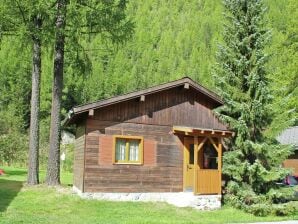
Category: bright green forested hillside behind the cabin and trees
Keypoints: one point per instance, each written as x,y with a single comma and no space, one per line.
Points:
171,39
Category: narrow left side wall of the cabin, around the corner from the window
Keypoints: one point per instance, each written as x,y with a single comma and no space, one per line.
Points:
79,157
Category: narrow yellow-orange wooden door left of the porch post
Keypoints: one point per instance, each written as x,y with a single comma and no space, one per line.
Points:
188,165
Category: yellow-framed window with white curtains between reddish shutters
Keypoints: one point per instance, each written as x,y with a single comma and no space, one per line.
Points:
128,150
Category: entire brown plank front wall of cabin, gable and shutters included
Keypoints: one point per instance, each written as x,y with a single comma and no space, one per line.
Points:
153,119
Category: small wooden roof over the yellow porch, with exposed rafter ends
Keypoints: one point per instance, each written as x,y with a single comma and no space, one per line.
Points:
196,131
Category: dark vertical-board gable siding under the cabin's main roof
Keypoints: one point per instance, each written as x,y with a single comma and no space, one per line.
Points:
176,106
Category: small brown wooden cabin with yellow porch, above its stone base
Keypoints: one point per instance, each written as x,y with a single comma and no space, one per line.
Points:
161,139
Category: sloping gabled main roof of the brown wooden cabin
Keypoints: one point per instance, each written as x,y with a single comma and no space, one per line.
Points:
133,95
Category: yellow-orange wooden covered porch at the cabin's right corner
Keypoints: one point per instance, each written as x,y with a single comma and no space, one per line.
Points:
202,159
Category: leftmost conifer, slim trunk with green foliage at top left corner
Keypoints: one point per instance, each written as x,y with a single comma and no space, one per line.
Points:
25,19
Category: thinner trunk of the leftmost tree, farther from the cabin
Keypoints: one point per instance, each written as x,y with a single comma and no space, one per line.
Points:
33,161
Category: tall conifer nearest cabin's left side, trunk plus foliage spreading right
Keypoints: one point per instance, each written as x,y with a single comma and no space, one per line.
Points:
74,19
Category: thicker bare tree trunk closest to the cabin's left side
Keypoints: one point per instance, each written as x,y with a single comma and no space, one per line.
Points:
53,170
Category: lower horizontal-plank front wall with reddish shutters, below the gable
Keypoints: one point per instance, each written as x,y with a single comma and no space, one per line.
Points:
162,168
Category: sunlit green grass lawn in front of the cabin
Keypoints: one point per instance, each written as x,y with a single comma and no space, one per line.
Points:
42,204
